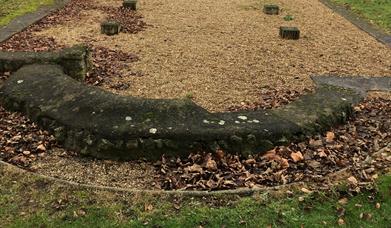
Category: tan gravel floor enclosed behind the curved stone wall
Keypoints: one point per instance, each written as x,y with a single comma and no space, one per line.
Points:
221,53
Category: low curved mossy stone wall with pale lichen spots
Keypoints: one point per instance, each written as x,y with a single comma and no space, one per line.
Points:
101,124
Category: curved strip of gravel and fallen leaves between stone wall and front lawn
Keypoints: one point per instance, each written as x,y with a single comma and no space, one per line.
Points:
360,149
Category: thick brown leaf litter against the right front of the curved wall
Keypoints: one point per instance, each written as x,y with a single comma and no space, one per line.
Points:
362,147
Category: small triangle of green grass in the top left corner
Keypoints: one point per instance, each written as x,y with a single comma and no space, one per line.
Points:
10,9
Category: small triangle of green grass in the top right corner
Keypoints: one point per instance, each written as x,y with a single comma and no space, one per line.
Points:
376,11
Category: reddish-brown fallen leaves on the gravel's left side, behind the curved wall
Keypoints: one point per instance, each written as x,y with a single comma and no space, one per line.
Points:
106,62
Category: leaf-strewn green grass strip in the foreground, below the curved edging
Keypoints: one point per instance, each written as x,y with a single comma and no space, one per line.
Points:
33,202
